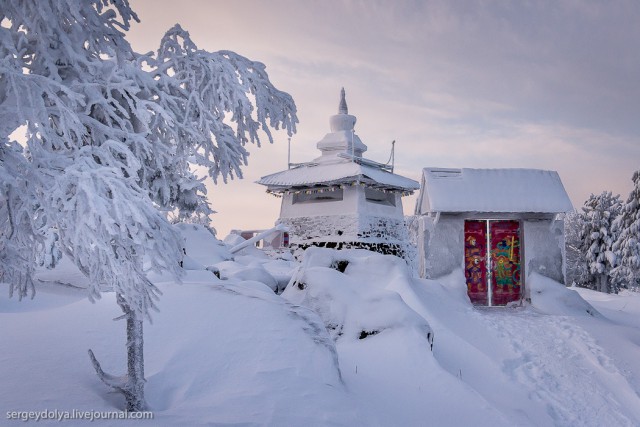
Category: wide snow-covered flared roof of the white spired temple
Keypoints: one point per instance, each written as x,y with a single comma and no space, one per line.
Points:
335,173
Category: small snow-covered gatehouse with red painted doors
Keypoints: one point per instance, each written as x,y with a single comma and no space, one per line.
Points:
497,225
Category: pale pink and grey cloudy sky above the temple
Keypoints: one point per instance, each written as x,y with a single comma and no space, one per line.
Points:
527,84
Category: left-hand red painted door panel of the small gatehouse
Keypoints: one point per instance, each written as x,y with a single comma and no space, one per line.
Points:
475,261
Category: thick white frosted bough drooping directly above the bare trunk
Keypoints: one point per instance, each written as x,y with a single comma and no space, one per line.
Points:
110,228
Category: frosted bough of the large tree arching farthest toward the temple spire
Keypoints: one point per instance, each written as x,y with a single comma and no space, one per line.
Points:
214,86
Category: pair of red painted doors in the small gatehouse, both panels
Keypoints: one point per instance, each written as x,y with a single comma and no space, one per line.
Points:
492,261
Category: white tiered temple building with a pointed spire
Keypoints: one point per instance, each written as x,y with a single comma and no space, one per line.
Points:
340,199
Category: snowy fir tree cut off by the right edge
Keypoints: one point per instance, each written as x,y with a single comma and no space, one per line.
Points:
627,244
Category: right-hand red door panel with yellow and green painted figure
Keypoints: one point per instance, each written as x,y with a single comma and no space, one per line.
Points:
505,262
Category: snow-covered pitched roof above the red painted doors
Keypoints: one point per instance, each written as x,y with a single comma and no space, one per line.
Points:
492,190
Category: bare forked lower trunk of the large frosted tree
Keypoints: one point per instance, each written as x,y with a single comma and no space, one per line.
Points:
132,385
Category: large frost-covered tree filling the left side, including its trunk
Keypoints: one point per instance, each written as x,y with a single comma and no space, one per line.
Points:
111,140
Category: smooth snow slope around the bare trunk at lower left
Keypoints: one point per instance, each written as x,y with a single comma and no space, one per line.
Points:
218,353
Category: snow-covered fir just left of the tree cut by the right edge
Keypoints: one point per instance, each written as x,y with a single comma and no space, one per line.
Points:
596,237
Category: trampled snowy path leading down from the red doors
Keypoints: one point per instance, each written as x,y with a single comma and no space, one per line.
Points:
572,377
